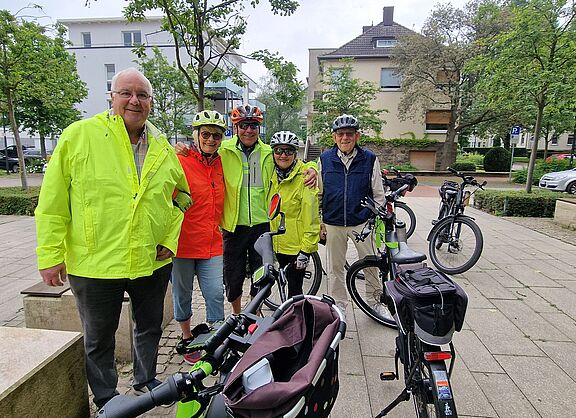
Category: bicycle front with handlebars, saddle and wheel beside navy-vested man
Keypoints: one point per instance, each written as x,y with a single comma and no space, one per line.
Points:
367,290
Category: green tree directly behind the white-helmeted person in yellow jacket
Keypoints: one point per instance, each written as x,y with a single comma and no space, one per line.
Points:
283,94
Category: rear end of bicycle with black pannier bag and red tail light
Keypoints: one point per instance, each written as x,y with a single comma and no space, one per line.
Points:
428,307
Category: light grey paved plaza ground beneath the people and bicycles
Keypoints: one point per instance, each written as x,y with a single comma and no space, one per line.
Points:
515,354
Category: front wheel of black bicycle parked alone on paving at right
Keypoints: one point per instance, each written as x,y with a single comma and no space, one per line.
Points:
456,245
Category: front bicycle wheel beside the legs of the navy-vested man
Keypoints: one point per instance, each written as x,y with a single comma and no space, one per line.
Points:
367,291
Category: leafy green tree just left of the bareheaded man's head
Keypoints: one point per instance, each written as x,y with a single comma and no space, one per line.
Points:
47,107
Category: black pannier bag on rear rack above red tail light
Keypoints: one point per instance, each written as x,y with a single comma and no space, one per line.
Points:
427,302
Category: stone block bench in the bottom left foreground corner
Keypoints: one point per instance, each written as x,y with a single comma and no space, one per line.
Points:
42,374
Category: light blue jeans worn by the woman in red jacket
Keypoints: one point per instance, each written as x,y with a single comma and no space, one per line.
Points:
209,273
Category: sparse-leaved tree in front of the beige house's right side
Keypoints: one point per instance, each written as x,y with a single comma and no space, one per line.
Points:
432,67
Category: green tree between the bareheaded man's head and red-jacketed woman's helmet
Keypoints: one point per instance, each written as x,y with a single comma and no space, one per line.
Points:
172,97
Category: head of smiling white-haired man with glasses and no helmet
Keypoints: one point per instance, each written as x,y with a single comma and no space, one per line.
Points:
132,100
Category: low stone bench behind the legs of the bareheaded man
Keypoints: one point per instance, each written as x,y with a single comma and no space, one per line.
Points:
47,307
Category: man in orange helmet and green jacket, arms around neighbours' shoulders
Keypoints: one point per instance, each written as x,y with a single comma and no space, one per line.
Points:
248,167
